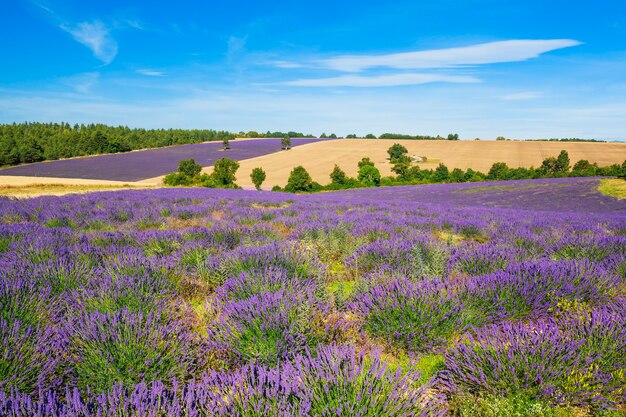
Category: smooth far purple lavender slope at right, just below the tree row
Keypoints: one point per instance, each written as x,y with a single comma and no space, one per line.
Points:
551,194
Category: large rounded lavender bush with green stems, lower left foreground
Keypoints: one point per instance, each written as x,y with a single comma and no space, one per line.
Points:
128,348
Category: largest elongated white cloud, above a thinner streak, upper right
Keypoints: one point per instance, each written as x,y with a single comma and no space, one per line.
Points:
484,53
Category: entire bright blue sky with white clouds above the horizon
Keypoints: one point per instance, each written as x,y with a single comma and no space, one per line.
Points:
482,68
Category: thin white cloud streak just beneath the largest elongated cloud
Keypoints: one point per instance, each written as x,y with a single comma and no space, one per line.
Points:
381,81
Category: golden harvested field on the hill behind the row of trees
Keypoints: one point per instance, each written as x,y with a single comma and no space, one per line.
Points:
319,158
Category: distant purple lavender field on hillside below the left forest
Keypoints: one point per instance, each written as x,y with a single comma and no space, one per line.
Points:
136,166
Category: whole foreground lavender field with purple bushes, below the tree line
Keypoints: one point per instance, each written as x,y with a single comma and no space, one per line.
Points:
505,300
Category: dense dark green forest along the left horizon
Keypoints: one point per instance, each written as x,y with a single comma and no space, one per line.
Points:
34,142
